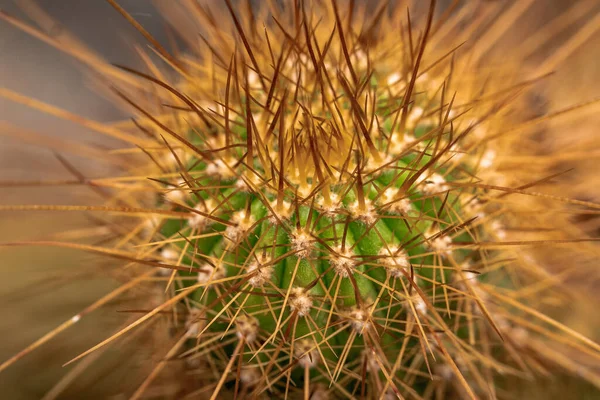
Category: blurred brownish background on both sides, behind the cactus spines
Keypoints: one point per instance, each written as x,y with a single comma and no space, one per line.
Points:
40,287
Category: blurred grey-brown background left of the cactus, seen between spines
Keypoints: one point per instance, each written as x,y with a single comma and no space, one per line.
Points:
40,287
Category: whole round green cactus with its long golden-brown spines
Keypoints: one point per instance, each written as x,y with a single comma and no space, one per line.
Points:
327,206
